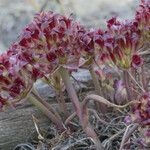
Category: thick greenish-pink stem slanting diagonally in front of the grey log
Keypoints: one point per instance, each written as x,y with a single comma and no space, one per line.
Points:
47,112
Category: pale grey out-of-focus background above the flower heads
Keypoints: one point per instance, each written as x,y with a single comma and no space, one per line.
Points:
15,14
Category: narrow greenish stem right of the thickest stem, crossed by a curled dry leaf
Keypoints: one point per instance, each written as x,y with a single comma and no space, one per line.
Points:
99,107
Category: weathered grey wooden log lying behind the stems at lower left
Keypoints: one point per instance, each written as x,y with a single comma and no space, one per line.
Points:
16,126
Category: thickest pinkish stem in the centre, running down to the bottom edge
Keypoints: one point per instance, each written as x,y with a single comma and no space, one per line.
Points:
77,106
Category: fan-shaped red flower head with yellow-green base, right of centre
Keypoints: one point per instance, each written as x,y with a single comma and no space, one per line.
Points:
120,41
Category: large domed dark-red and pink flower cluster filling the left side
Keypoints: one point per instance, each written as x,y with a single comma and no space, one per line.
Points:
49,41
